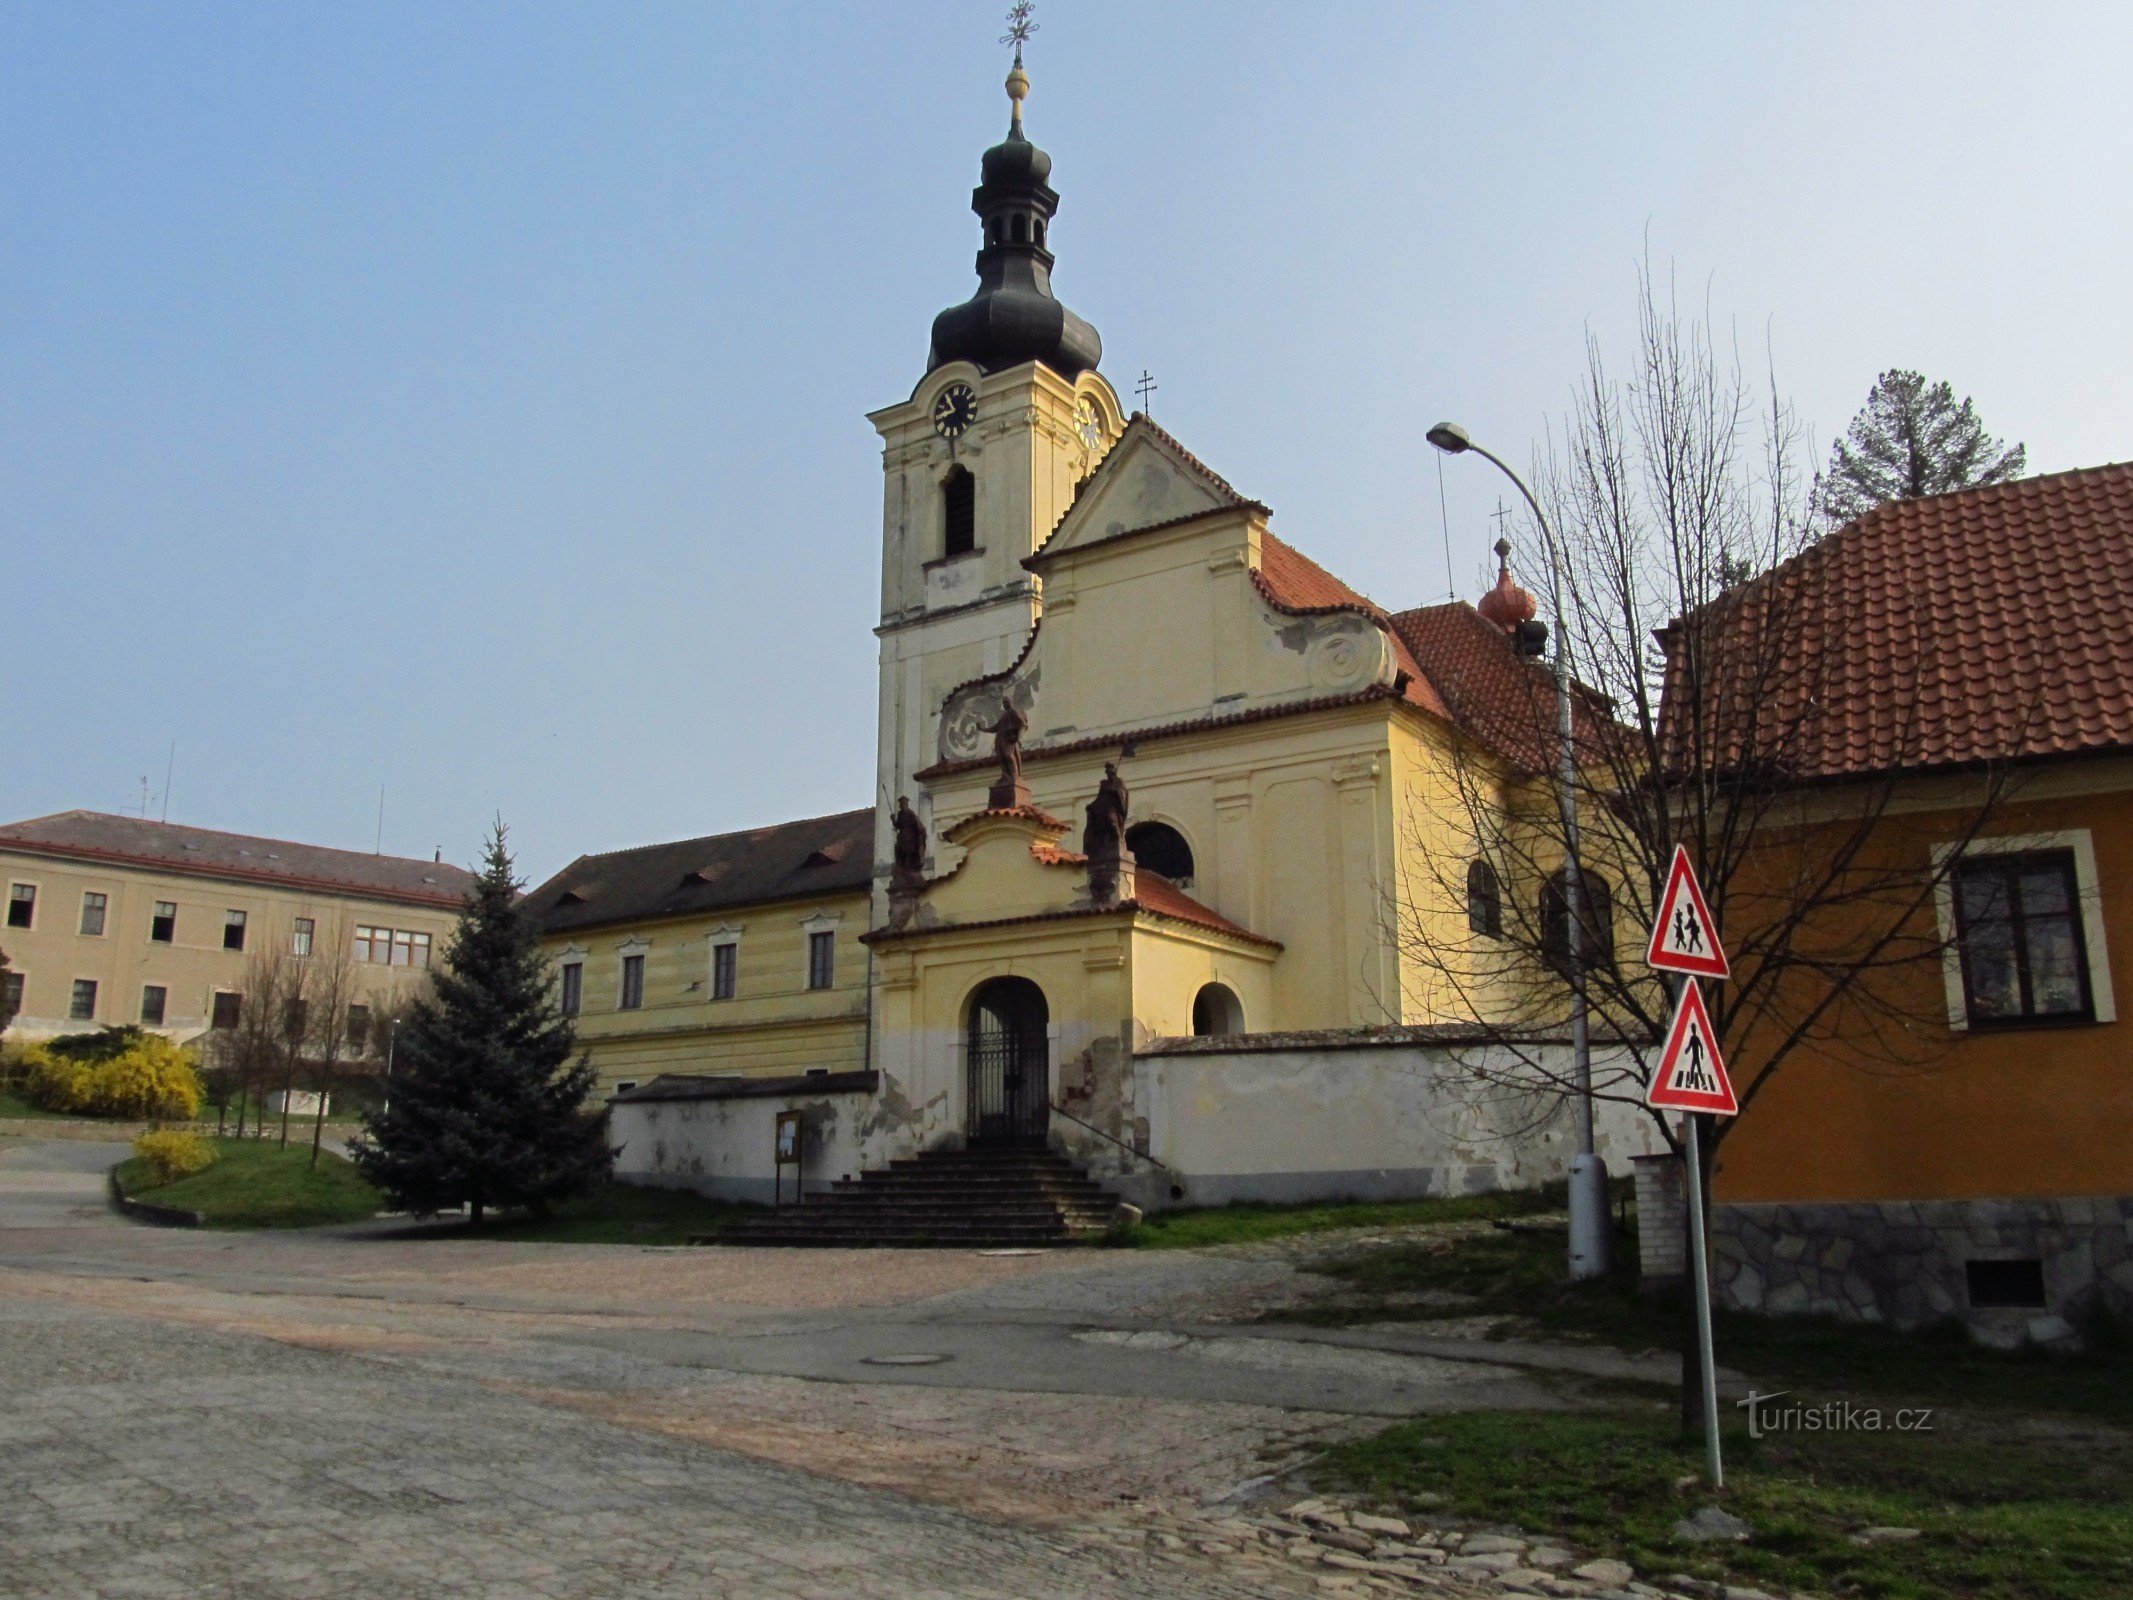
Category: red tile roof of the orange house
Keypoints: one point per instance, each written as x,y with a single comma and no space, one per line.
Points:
1980,626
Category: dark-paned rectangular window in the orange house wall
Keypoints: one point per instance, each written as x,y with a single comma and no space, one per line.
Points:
2019,935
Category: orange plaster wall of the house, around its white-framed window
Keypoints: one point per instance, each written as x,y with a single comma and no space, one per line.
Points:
2036,1113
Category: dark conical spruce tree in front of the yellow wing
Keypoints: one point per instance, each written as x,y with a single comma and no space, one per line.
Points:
485,1106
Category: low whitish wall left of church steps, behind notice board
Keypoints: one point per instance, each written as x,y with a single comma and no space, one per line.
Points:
726,1149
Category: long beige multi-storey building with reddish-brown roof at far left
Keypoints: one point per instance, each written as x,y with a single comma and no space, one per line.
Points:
116,921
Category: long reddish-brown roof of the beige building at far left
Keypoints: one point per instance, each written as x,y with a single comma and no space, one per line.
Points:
206,852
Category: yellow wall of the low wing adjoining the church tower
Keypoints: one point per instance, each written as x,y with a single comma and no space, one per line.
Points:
775,1023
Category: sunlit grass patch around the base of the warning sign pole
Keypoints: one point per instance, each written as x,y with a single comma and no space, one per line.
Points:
2000,1516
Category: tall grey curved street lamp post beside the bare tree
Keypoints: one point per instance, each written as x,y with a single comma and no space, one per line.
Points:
1588,1174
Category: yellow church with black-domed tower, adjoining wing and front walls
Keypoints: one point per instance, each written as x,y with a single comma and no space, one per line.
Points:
1159,801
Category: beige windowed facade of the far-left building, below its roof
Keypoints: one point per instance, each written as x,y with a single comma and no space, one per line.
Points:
195,965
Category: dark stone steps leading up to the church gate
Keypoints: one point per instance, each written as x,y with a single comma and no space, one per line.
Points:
948,1200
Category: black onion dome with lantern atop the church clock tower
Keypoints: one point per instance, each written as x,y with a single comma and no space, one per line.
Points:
1014,315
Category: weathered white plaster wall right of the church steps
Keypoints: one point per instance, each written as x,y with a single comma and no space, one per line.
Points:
1330,1123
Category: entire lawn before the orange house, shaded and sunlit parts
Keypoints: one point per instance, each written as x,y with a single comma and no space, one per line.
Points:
2019,1486
